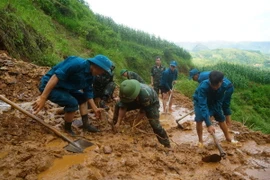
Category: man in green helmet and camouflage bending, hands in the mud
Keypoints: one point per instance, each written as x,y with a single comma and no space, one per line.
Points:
134,95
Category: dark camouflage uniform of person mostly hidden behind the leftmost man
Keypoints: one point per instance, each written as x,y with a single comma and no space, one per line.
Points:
103,86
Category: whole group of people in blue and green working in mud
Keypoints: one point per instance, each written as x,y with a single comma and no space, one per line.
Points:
80,84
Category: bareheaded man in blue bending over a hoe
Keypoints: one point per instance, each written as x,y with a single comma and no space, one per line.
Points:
208,99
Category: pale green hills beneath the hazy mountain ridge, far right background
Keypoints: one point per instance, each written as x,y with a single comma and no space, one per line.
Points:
251,58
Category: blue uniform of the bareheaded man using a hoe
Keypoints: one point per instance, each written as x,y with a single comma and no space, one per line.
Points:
209,102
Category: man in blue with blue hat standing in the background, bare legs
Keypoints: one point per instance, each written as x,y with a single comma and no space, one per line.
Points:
168,79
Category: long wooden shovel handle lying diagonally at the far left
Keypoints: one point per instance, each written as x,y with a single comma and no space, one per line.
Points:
37,119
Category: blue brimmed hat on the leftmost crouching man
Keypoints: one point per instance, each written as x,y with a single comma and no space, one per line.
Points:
102,61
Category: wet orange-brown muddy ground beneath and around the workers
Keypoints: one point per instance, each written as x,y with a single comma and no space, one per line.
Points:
30,151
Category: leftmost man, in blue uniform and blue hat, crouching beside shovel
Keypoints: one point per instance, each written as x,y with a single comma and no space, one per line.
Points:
69,84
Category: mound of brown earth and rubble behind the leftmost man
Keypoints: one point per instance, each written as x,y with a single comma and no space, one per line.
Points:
19,80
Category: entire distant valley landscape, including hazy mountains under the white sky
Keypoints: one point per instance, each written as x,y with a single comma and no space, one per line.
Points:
255,54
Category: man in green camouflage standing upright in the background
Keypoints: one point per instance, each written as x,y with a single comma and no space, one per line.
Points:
156,73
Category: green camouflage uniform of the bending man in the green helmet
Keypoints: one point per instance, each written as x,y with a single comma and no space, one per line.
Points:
147,102
